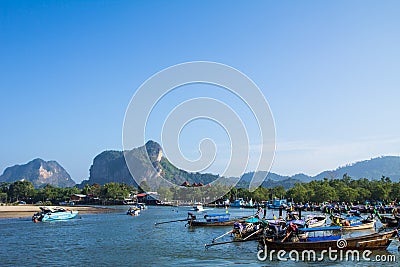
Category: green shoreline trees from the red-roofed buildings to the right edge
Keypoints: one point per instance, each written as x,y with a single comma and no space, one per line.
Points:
344,189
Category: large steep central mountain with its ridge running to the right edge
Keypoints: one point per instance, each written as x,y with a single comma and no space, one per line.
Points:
110,166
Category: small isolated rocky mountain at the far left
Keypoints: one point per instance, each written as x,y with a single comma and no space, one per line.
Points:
40,173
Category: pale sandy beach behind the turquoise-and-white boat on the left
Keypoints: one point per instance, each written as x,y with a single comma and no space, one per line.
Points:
22,211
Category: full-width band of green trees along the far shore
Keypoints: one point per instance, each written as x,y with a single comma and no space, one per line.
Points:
345,189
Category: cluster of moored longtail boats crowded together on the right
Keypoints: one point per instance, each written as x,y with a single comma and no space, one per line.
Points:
318,231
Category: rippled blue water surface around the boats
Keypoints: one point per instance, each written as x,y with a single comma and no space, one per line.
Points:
115,239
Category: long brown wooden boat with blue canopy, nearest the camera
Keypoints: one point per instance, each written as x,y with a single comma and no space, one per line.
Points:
371,242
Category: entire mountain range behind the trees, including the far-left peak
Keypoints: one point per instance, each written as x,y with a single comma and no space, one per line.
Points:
110,166
